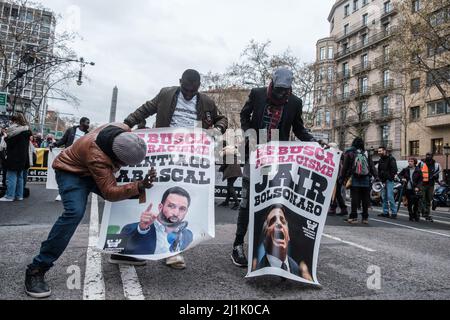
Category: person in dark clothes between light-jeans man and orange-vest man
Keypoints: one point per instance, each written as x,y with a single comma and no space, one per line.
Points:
412,179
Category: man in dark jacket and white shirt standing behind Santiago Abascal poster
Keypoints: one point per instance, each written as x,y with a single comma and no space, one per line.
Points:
180,107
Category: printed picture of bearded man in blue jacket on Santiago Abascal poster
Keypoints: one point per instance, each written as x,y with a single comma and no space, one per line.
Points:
163,232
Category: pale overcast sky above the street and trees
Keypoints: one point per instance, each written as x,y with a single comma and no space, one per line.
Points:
144,45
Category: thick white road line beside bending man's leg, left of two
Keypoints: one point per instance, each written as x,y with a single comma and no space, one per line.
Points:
94,284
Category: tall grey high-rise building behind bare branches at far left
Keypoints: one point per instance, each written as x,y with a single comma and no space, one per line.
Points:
26,41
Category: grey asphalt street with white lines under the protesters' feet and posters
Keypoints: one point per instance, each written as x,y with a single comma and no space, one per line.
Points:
412,260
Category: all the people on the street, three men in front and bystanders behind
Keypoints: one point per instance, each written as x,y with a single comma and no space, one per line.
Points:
90,159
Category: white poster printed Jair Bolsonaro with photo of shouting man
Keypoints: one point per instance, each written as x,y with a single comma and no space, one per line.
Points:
290,193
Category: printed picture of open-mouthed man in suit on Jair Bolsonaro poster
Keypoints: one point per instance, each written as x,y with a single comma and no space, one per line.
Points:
275,241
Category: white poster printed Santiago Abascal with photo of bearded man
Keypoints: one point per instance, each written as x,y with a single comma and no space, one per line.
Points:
179,210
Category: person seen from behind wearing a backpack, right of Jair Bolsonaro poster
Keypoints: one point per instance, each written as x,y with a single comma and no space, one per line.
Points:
357,170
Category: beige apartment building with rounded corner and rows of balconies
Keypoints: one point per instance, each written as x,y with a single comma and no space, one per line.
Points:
357,98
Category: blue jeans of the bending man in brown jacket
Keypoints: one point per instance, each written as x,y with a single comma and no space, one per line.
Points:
74,191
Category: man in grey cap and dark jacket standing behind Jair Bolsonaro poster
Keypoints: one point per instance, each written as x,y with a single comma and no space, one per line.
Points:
271,108
